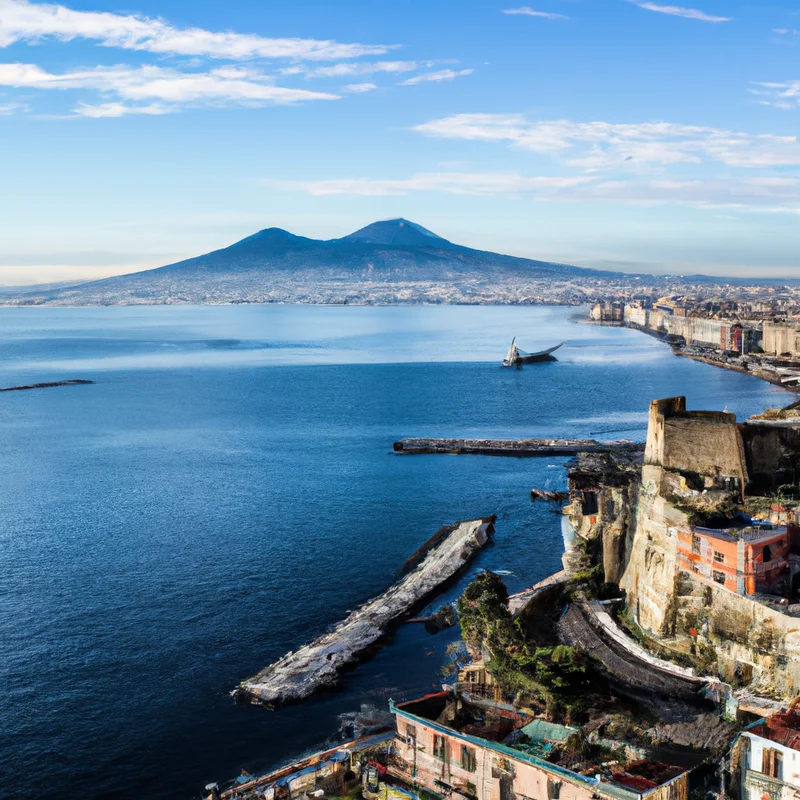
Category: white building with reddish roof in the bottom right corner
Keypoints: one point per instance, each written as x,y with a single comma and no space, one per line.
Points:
768,755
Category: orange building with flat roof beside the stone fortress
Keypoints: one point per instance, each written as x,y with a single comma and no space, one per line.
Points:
744,560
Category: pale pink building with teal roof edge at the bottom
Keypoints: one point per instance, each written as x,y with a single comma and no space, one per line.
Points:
481,750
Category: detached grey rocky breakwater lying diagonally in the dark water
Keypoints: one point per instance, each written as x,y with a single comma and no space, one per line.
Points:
317,665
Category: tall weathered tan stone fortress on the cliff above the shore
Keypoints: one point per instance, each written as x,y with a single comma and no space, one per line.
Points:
633,521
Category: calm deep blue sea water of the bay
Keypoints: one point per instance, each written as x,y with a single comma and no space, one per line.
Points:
226,491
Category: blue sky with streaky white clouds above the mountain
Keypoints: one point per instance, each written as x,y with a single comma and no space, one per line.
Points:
620,134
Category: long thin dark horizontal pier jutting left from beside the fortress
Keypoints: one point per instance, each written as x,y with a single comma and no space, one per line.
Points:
518,448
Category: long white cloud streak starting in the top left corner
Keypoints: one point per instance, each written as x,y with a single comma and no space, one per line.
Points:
31,22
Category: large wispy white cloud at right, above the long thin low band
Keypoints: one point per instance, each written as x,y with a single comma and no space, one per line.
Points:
602,145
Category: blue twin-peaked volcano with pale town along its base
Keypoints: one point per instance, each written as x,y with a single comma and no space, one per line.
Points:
367,265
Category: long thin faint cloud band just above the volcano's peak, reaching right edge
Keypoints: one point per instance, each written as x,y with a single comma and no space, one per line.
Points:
763,193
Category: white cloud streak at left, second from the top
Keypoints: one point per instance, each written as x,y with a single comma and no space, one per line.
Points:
170,88
